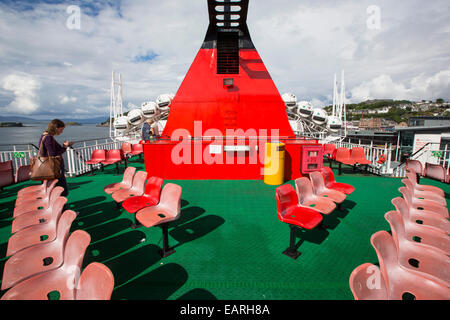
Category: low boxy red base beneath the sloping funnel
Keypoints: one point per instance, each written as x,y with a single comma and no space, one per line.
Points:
168,160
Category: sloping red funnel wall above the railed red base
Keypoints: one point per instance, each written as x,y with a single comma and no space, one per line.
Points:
252,103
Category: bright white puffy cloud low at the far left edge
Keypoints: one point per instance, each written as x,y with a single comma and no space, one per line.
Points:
25,90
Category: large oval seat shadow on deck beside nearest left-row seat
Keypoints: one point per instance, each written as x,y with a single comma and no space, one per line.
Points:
158,284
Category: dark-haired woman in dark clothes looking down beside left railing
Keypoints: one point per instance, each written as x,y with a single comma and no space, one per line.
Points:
51,148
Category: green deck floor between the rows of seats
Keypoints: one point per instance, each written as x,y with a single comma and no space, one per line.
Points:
228,240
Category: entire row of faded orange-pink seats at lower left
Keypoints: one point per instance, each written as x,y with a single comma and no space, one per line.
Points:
44,259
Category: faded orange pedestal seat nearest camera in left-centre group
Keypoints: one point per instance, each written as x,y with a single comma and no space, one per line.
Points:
167,210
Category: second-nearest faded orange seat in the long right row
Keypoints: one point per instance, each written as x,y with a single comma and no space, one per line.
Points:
404,283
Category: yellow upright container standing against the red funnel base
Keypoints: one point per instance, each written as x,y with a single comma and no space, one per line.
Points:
274,164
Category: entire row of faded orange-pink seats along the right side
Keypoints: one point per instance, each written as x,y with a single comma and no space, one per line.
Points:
414,260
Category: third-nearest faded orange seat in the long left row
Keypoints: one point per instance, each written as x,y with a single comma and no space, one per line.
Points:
37,234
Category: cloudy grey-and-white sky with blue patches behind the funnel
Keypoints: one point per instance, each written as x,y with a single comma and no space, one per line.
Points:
56,63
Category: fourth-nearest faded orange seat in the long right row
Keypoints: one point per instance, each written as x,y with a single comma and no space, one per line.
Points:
422,217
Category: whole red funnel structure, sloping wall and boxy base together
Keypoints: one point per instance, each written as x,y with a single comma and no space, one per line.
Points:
205,107
